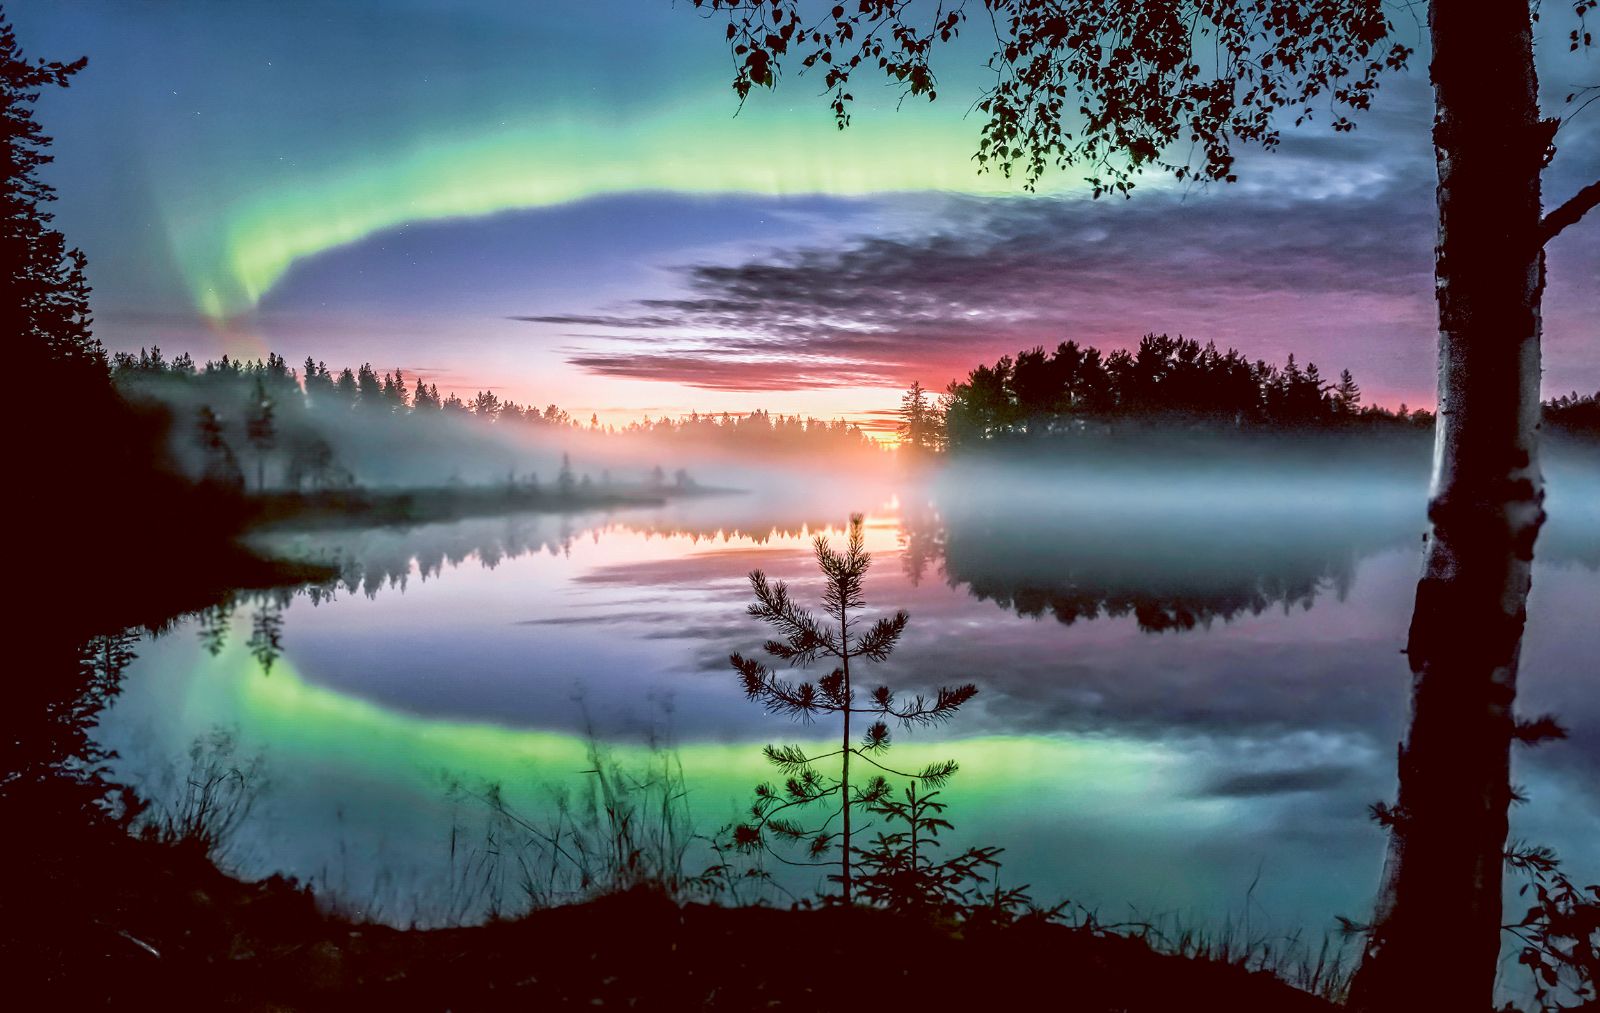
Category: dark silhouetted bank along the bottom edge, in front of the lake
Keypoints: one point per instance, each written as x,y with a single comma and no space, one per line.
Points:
158,926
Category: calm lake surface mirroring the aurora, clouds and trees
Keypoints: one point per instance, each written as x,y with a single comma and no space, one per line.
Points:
1178,692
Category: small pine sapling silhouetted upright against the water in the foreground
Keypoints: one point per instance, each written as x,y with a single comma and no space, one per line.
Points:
834,635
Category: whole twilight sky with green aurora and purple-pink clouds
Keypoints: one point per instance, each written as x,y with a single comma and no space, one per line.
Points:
559,201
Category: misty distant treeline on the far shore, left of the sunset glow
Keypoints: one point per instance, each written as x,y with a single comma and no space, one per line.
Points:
265,425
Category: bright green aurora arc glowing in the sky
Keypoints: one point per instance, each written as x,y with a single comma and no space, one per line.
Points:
234,257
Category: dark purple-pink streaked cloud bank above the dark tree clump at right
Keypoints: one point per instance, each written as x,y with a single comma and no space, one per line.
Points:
1324,271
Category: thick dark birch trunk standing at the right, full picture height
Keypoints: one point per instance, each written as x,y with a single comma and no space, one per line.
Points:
1438,926
